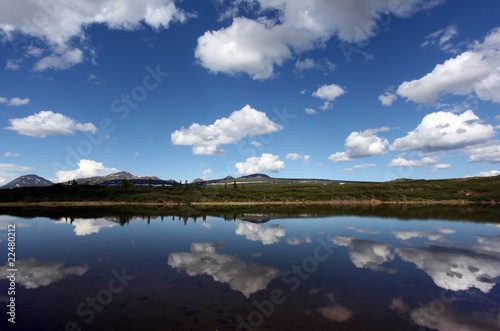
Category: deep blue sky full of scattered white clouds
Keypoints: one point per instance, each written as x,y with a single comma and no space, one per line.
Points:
351,90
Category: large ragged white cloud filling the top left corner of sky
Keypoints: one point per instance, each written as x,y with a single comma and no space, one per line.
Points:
61,26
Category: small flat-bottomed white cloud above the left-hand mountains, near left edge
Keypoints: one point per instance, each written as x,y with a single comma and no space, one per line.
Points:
48,123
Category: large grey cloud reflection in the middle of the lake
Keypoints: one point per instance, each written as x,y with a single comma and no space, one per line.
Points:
241,276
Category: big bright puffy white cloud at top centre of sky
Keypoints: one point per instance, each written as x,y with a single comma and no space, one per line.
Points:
248,46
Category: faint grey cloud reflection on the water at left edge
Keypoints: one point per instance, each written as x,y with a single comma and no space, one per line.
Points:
34,274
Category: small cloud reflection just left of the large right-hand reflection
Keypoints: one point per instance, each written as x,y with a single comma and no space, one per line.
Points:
365,253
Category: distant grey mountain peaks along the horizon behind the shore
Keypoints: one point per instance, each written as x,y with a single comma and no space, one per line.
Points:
115,179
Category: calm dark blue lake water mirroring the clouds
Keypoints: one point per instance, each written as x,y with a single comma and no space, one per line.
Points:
254,271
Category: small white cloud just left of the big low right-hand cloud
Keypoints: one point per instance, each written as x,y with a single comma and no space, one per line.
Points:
362,144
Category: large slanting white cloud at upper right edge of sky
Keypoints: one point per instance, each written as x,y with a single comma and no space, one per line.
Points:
474,72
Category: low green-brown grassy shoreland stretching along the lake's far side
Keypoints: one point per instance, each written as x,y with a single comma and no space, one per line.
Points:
465,190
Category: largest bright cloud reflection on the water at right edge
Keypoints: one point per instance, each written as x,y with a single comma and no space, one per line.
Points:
456,269
